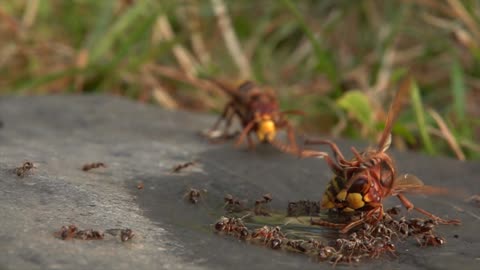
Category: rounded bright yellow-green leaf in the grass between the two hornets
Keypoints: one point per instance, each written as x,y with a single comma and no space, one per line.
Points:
357,105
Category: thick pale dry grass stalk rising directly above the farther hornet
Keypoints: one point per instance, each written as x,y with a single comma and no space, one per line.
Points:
231,40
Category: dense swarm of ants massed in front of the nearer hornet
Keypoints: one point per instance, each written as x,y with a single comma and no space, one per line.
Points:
365,242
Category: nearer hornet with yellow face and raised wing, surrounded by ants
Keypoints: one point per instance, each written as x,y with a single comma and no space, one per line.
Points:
359,185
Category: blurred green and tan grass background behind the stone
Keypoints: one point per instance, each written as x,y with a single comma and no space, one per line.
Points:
338,60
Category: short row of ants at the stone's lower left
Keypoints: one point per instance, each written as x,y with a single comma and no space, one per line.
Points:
72,232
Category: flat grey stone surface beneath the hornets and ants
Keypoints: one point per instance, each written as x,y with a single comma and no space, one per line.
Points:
141,144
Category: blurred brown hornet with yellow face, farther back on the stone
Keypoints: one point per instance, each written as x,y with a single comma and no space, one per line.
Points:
258,111
